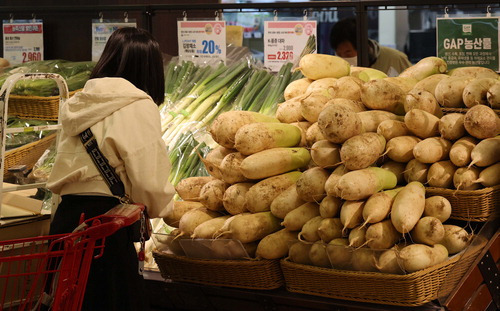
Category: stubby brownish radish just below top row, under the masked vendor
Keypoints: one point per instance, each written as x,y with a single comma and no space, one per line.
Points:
382,95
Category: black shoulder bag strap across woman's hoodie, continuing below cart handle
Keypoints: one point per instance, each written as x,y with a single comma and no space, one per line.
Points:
141,230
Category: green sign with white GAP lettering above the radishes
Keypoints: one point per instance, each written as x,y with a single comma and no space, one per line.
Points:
469,42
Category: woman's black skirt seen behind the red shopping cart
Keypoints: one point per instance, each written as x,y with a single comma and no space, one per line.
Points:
114,282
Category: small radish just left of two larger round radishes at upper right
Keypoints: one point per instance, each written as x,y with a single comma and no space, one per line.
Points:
421,123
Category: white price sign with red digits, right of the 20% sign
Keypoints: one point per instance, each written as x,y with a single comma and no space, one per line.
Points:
285,40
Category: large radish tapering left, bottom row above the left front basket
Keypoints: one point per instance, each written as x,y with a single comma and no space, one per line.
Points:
252,227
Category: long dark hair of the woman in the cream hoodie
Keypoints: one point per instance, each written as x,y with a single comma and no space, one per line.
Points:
133,54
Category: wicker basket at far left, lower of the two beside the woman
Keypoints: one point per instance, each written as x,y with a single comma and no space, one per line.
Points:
27,154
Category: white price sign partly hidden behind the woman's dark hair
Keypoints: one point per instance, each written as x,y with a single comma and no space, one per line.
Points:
101,31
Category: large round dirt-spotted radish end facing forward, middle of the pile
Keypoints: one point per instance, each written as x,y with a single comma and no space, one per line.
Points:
338,123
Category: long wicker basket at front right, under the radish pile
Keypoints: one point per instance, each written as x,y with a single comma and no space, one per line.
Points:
402,290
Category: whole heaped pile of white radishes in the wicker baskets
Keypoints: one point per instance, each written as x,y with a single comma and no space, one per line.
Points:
338,178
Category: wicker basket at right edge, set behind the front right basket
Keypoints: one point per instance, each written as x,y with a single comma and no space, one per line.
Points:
470,205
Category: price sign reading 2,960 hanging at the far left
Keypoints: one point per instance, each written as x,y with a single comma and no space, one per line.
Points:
22,40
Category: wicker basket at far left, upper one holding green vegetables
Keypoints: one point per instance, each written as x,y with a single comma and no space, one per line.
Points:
35,107
